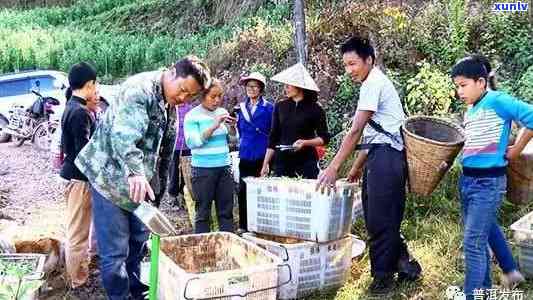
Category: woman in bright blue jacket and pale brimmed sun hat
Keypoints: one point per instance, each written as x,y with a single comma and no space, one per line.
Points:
254,117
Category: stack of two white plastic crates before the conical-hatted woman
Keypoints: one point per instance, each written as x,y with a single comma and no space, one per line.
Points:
308,230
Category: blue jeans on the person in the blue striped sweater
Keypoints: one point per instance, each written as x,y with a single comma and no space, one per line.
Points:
481,198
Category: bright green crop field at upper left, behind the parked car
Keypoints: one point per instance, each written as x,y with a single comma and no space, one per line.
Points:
29,39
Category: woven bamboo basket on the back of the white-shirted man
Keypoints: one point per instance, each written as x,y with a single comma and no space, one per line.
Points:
431,144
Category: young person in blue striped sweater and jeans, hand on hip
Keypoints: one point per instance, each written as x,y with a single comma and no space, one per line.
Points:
485,156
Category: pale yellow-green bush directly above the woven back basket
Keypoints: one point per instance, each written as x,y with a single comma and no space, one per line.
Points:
430,92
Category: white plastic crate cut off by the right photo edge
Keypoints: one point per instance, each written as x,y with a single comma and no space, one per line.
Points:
523,235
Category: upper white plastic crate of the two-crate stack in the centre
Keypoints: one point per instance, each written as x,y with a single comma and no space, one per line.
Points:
292,208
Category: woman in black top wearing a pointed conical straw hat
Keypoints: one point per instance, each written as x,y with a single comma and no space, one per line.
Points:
298,126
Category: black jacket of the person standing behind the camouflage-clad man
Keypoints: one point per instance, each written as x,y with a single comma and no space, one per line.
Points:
77,125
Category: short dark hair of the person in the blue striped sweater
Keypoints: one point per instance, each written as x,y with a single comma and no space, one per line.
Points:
475,67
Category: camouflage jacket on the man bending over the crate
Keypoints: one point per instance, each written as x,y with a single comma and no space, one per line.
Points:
135,137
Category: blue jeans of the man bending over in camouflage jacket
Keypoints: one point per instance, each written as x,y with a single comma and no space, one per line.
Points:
121,239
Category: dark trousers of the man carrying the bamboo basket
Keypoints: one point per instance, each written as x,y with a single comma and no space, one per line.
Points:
383,194
